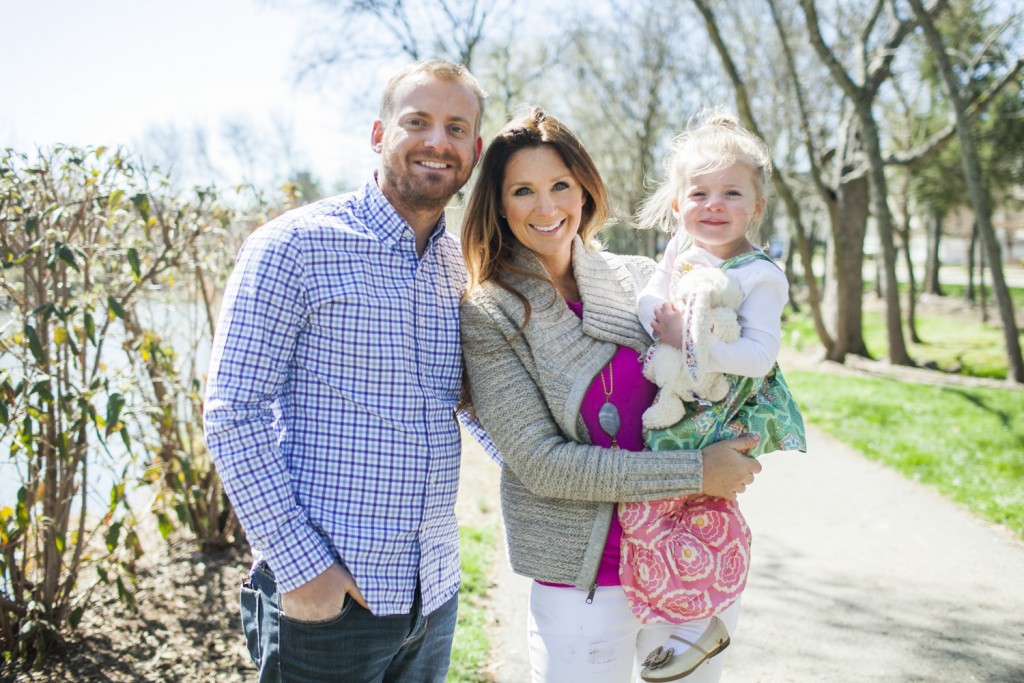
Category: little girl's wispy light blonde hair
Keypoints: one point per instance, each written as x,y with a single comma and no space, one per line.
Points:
711,143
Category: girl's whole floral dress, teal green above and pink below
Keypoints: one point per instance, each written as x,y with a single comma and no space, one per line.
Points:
689,559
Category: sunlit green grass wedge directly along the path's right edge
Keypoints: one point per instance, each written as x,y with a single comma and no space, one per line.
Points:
966,442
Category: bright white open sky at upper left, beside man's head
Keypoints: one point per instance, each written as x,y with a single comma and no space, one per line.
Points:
111,72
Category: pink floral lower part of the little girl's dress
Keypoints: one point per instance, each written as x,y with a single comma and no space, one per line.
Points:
684,559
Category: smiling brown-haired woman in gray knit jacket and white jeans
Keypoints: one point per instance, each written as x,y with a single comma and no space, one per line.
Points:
551,343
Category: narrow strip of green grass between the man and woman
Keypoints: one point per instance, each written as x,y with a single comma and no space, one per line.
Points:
470,653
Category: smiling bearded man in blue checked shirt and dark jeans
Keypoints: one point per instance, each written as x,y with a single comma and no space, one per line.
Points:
330,410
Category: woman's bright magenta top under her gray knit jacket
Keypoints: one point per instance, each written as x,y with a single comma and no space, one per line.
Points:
632,394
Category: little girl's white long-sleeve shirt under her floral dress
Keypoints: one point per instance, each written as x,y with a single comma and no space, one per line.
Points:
765,291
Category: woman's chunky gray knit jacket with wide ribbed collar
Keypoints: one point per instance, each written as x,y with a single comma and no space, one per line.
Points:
558,491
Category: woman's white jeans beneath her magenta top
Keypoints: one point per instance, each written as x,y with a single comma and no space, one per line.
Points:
603,643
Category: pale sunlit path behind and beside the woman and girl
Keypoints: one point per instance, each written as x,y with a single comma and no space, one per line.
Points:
858,575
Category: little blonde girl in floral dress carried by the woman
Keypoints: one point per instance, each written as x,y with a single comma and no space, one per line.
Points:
686,561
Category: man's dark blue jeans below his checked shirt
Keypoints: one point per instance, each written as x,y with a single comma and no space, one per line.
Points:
355,647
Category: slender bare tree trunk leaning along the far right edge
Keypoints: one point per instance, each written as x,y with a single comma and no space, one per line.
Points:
979,195
